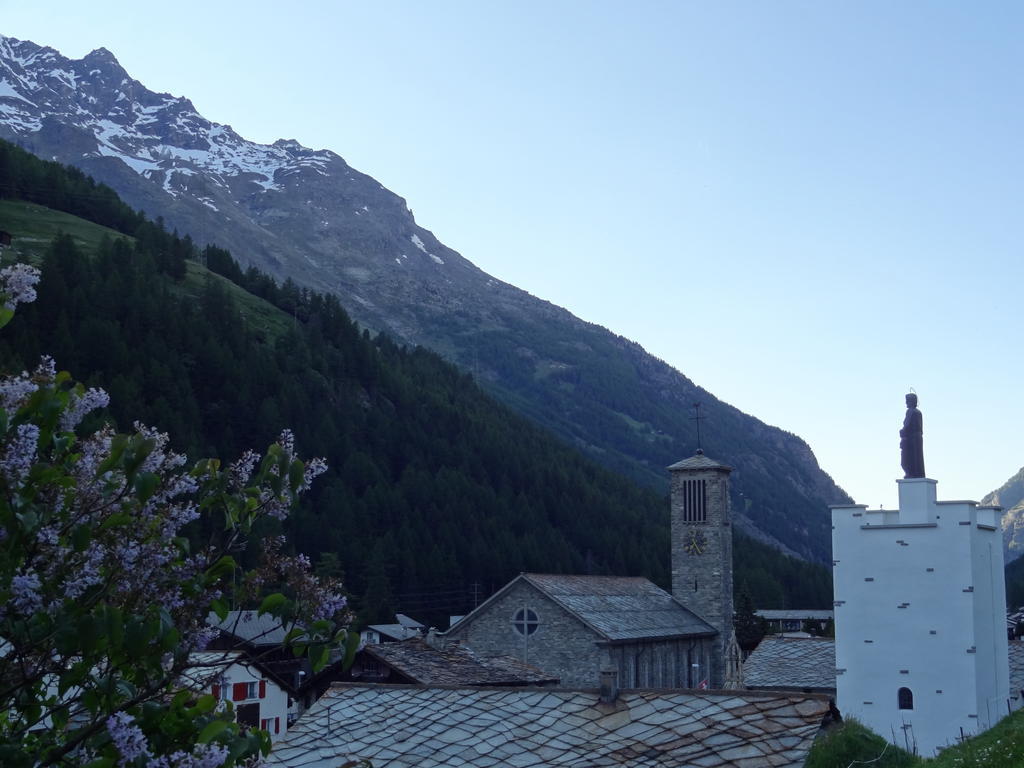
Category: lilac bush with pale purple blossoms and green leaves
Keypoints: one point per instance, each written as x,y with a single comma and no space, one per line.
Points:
104,600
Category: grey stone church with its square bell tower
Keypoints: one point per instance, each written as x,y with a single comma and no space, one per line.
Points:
575,627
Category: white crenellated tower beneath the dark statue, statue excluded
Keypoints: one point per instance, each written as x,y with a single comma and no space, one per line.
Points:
921,642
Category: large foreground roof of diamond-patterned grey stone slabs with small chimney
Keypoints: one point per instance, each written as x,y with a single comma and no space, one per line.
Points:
414,727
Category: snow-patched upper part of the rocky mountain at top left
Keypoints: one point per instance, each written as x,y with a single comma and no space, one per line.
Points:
156,136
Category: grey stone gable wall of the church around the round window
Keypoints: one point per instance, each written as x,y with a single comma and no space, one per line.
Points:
562,645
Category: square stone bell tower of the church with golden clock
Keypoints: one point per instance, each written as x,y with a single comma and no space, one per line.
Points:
702,549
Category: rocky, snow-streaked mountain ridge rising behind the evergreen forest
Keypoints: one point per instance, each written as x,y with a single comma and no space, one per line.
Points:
307,216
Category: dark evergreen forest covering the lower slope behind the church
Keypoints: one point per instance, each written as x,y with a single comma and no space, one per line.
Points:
437,495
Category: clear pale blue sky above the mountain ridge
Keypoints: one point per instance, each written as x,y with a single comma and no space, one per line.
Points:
806,207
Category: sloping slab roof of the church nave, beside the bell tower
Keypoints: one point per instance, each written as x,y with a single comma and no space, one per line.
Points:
621,609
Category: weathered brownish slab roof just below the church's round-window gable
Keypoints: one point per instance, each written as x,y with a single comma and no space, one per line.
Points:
455,666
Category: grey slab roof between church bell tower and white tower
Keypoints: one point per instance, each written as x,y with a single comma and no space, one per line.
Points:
792,663
